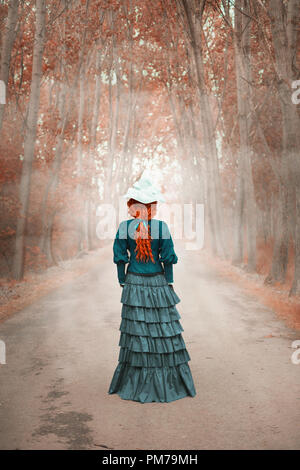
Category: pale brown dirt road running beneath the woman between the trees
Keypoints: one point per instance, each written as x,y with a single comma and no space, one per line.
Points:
62,351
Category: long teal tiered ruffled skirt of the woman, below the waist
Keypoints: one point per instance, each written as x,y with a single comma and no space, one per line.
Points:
153,359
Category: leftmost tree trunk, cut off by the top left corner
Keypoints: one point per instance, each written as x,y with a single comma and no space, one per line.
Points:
7,45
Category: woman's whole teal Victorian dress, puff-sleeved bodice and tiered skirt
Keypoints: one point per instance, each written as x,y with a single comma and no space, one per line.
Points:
153,359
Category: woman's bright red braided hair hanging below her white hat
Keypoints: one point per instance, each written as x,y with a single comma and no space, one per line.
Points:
142,235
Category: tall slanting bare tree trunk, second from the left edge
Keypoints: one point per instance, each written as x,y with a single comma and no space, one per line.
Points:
30,137
